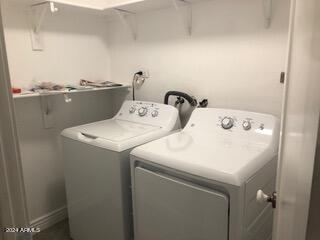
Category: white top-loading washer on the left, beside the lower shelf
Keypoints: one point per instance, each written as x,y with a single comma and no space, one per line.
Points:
97,168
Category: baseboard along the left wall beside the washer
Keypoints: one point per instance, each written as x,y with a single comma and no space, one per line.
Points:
50,219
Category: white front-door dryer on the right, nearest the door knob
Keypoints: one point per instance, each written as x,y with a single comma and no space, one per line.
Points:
201,183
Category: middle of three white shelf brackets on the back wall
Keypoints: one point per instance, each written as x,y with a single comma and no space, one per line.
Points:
186,15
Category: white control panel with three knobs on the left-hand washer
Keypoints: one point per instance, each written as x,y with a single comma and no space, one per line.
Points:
150,113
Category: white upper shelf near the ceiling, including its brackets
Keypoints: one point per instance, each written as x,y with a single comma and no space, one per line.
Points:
126,10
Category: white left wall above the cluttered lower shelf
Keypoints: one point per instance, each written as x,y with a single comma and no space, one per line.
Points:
74,47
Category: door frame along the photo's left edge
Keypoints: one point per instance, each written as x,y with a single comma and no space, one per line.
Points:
12,191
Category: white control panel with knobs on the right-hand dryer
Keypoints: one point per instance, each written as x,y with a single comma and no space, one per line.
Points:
234,126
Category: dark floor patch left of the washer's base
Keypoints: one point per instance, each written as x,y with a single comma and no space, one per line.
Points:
60,231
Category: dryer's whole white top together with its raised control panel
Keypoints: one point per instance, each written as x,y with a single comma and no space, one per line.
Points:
205,149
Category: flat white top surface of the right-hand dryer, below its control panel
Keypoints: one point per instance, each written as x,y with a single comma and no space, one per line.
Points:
208,156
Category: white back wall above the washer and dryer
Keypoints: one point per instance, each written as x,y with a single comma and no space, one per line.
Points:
231,59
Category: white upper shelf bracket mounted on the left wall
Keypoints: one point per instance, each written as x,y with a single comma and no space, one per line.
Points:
38,13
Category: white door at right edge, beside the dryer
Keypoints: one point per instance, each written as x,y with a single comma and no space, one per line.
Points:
299,122
